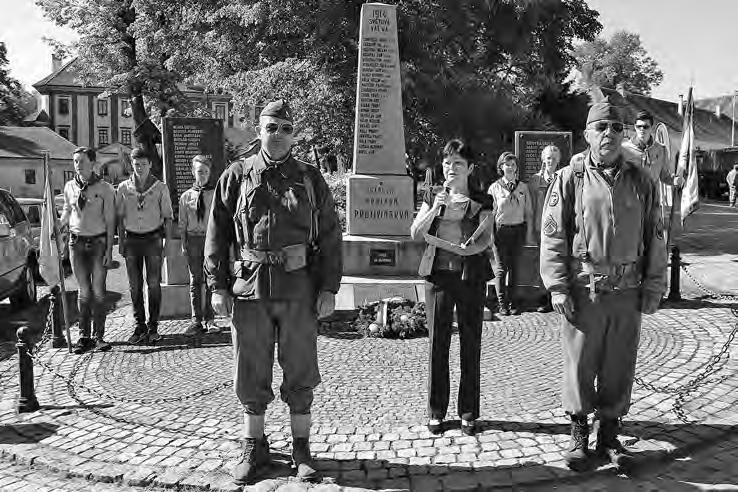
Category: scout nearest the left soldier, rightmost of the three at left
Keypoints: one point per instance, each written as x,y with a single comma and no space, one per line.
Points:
194,210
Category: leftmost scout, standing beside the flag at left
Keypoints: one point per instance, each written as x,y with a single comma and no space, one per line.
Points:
89,213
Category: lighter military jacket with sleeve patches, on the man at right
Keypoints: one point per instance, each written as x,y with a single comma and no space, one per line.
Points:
614,230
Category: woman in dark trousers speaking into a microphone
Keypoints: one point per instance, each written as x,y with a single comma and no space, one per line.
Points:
457,225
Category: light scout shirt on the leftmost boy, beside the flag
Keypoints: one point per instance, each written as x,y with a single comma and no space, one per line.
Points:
98,211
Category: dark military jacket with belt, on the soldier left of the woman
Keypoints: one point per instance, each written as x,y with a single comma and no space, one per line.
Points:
266,207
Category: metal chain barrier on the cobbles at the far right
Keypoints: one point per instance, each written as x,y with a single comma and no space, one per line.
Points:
712,366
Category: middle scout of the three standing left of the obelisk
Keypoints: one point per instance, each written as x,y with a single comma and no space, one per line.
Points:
144,220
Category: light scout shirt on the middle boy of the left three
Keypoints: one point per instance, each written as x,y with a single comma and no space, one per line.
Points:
143,212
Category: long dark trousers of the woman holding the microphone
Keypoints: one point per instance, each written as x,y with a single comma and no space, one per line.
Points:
443,291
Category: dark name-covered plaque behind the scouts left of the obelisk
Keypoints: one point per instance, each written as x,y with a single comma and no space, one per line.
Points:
184,138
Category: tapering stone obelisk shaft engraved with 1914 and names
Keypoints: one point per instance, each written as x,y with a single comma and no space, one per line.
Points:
379,137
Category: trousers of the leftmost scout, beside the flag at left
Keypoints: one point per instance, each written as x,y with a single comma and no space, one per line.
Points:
86,257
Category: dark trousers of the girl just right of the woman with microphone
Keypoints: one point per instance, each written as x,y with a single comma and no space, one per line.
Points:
508,246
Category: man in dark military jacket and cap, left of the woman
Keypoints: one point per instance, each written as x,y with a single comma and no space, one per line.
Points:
279,214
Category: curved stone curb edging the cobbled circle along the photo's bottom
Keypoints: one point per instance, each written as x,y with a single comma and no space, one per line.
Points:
396,477
